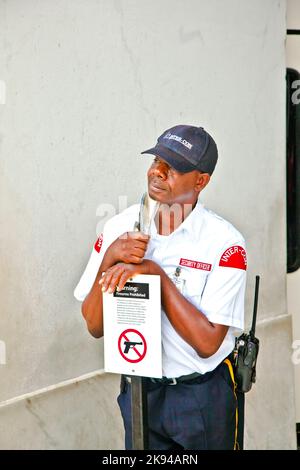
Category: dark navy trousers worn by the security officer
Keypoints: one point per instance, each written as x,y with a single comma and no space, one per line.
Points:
198,414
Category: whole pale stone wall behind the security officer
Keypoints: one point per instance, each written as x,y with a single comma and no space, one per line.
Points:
89,85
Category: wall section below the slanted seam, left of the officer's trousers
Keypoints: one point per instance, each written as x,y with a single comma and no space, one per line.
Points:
81,416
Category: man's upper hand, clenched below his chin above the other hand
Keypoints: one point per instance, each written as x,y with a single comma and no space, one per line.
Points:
128,248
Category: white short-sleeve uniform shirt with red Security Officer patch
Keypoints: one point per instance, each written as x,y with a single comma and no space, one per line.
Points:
210,255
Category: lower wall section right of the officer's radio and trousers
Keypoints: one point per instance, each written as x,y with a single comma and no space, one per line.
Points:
269,410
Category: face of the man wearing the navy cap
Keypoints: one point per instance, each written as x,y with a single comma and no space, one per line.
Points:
168,186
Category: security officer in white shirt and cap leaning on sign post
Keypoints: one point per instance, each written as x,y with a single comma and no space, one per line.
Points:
201,261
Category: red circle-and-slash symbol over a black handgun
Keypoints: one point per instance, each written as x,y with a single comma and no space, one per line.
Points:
132,345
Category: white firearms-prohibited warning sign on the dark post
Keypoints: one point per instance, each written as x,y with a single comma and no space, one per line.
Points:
132,328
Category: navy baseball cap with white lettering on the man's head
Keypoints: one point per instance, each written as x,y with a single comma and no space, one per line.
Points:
187,148
